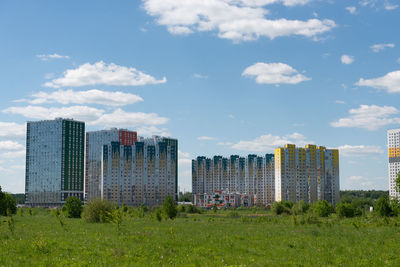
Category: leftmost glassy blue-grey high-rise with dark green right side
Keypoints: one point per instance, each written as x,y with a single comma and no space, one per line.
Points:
54,161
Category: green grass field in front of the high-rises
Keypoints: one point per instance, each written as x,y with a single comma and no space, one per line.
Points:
251,238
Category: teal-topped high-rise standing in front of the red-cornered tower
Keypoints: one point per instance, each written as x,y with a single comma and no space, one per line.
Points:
143,173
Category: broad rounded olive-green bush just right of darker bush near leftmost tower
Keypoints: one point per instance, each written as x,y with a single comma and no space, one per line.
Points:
97,210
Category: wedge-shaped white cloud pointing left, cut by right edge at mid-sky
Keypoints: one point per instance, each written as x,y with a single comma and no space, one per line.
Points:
390,82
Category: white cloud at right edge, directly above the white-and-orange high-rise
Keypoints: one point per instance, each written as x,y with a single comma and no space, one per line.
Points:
369,117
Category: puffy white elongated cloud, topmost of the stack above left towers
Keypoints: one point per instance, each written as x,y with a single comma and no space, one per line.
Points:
101,73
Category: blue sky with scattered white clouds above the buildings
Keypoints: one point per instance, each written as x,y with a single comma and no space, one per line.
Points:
223,76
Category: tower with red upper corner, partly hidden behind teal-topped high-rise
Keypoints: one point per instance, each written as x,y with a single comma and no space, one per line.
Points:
94,144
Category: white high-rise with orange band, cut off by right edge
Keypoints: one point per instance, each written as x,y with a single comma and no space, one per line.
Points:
394,160
